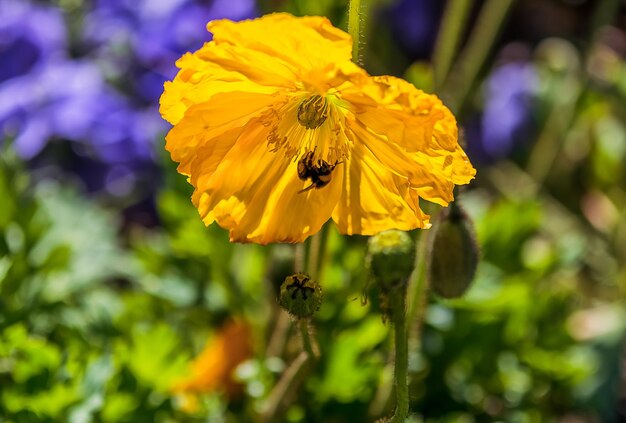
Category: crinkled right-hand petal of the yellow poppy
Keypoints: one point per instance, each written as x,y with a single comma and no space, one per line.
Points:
412,134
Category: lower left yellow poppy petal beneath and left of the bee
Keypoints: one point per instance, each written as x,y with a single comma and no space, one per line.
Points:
257,195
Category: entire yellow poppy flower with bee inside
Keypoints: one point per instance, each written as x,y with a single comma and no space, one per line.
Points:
278,131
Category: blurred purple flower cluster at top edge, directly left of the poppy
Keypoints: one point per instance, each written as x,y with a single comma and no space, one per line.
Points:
145,37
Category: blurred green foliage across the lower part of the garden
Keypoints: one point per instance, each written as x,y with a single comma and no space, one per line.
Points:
97,326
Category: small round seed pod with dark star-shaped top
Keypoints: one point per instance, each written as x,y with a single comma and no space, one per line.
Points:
300,295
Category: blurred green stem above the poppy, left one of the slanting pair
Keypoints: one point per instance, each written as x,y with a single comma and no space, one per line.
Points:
452,27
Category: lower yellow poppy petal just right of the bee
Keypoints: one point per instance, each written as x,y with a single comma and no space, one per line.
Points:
374,199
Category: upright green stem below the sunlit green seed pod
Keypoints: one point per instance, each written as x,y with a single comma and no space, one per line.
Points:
397,299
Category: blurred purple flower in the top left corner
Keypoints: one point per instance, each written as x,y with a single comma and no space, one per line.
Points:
30,36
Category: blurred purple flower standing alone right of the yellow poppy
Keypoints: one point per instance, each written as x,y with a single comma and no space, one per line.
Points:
507,117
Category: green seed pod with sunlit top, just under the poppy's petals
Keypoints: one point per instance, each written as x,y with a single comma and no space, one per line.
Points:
391,258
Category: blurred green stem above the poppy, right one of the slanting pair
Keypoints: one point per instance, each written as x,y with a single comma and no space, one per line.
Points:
492,18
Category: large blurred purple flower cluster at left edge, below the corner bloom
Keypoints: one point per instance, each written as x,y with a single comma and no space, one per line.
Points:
68,100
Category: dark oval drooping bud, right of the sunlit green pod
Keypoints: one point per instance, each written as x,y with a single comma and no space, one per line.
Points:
454,253
